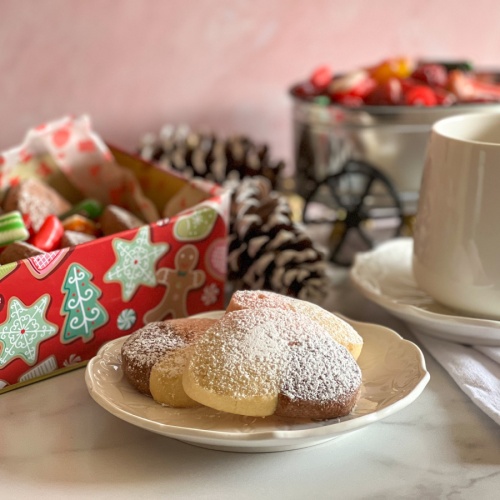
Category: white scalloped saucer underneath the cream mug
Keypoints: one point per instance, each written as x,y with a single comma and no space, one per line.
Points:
384,275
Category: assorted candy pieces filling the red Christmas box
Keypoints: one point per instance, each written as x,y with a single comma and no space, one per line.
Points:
36,219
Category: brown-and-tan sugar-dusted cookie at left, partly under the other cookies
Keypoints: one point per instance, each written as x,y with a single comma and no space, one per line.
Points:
162,343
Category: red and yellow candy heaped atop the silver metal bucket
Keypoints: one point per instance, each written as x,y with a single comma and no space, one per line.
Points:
400,81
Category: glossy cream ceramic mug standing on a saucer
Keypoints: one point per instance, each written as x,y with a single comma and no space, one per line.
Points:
456,254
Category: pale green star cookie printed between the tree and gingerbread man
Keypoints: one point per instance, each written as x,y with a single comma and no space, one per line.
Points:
135,263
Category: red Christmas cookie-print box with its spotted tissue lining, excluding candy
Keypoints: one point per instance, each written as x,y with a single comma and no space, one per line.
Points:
58,308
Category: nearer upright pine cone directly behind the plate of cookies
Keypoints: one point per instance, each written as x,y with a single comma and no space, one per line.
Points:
267,250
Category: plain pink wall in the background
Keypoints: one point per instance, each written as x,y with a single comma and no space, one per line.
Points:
223,65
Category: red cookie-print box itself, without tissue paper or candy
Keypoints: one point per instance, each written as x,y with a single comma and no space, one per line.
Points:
57,309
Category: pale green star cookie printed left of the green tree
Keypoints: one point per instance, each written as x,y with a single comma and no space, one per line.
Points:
24,329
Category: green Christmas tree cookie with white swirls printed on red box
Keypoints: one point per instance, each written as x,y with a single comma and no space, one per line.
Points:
84,314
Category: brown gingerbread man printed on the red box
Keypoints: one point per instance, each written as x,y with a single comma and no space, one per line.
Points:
178,282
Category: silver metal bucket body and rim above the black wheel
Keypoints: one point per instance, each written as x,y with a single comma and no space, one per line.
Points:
392,139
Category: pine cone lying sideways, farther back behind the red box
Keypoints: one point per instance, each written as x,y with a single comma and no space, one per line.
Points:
205,155
